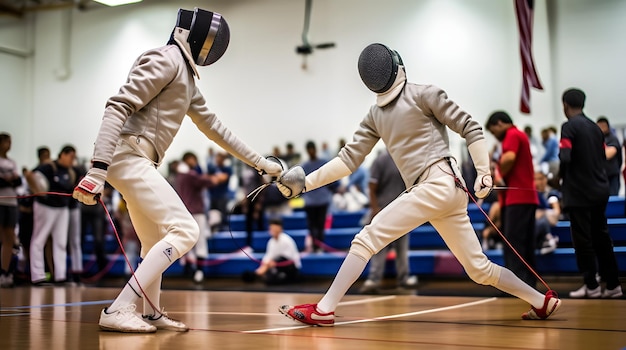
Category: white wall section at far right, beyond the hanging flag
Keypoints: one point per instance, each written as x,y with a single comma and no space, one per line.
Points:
590,52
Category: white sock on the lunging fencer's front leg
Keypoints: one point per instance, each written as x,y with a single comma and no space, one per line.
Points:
350,270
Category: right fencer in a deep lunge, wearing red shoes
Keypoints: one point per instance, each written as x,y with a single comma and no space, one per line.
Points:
412,120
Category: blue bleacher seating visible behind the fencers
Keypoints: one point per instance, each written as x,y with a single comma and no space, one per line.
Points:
429,254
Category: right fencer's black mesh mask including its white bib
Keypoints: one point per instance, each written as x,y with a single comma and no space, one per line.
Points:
382,71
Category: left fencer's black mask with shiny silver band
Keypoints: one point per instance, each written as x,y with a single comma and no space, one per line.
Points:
209,37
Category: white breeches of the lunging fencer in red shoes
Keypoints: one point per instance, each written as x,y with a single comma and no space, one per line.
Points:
435,199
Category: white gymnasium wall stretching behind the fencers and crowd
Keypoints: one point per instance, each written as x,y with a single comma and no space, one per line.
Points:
259,89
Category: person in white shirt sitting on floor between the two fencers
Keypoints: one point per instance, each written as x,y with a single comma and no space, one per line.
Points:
281,263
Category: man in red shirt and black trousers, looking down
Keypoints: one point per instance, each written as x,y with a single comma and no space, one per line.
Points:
516,171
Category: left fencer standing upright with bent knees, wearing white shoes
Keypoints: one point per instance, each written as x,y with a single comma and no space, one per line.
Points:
138,126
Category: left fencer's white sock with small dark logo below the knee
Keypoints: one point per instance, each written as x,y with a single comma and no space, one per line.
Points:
158,259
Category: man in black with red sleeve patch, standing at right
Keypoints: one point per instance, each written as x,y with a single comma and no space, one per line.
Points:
585,189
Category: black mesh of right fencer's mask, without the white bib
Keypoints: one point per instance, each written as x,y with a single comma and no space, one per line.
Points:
378,67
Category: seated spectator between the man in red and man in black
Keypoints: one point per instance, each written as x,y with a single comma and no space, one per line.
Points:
547,214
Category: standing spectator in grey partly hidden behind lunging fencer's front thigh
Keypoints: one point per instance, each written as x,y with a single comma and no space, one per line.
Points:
385,185
